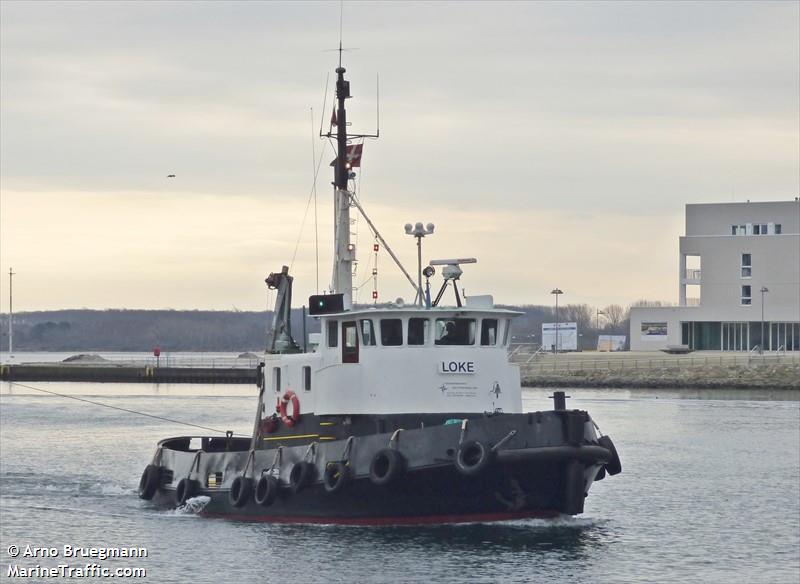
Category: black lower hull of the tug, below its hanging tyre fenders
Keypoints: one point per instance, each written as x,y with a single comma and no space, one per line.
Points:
438,495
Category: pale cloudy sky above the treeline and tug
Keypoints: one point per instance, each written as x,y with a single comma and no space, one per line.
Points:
555,142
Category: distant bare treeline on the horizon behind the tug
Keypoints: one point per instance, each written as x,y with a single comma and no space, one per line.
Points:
204,330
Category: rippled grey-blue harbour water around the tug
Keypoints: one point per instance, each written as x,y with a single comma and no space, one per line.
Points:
710,492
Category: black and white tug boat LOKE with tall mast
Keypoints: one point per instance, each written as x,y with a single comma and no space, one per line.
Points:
406,414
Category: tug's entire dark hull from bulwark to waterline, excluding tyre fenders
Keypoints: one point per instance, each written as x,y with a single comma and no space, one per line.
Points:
537,465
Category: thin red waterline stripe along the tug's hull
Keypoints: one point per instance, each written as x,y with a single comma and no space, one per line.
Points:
417,520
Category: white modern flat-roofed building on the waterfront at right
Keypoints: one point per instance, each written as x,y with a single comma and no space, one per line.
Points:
739,275
